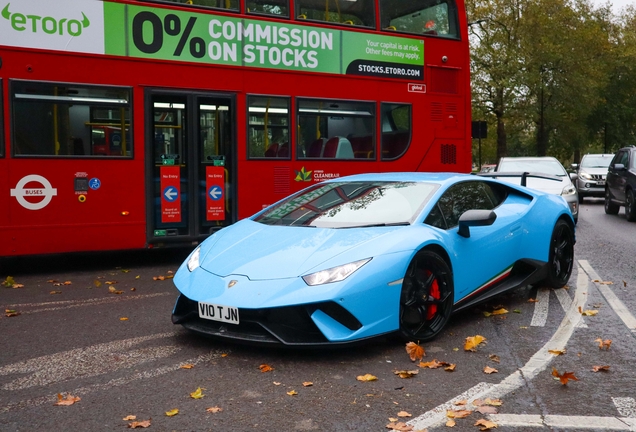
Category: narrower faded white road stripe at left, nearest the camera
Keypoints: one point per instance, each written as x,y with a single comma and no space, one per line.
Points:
81,391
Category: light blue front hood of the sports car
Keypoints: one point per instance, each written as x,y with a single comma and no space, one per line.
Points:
261,251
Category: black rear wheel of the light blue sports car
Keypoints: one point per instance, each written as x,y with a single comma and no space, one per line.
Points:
561,256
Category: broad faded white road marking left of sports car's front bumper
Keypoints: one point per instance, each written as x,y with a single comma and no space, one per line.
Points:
85,362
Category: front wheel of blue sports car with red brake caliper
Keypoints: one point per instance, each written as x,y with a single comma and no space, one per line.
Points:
427,297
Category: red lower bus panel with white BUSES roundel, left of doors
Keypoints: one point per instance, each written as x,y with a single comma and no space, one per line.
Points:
45,213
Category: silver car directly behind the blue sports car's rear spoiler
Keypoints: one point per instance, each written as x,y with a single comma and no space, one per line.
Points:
543,165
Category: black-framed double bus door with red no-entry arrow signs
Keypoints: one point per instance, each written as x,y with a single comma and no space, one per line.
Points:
191,146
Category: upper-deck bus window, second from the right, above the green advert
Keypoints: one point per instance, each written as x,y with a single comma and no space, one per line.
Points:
351,12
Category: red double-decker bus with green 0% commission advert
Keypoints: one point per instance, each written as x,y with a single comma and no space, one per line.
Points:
133,124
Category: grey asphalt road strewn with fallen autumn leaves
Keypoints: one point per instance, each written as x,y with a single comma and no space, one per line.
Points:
121,355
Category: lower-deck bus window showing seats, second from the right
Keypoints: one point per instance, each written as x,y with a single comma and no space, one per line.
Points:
335,129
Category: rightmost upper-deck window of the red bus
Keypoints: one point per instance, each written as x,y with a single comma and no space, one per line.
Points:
432,17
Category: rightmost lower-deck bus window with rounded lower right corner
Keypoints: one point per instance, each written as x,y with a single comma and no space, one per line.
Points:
396,130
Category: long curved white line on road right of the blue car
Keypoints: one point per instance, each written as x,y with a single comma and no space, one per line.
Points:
536,364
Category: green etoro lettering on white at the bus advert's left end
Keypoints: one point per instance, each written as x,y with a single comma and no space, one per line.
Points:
47,24
